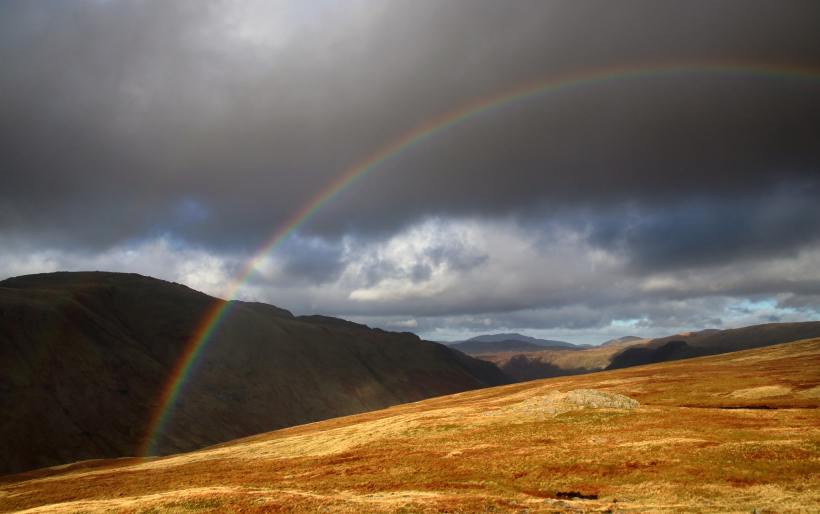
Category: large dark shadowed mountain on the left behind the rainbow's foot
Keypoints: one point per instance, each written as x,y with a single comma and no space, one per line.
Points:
84,358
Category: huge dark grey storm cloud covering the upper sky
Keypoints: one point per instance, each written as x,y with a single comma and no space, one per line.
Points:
113,113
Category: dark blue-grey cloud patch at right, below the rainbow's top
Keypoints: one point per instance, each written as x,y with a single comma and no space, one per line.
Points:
704,232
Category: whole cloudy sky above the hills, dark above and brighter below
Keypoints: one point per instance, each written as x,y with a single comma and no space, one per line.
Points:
176,138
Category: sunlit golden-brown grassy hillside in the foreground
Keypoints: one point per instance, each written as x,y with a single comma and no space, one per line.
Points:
730,433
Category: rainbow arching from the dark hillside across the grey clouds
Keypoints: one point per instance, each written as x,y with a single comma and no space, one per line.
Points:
434,127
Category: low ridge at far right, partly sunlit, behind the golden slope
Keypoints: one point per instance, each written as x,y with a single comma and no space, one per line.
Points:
533,365
